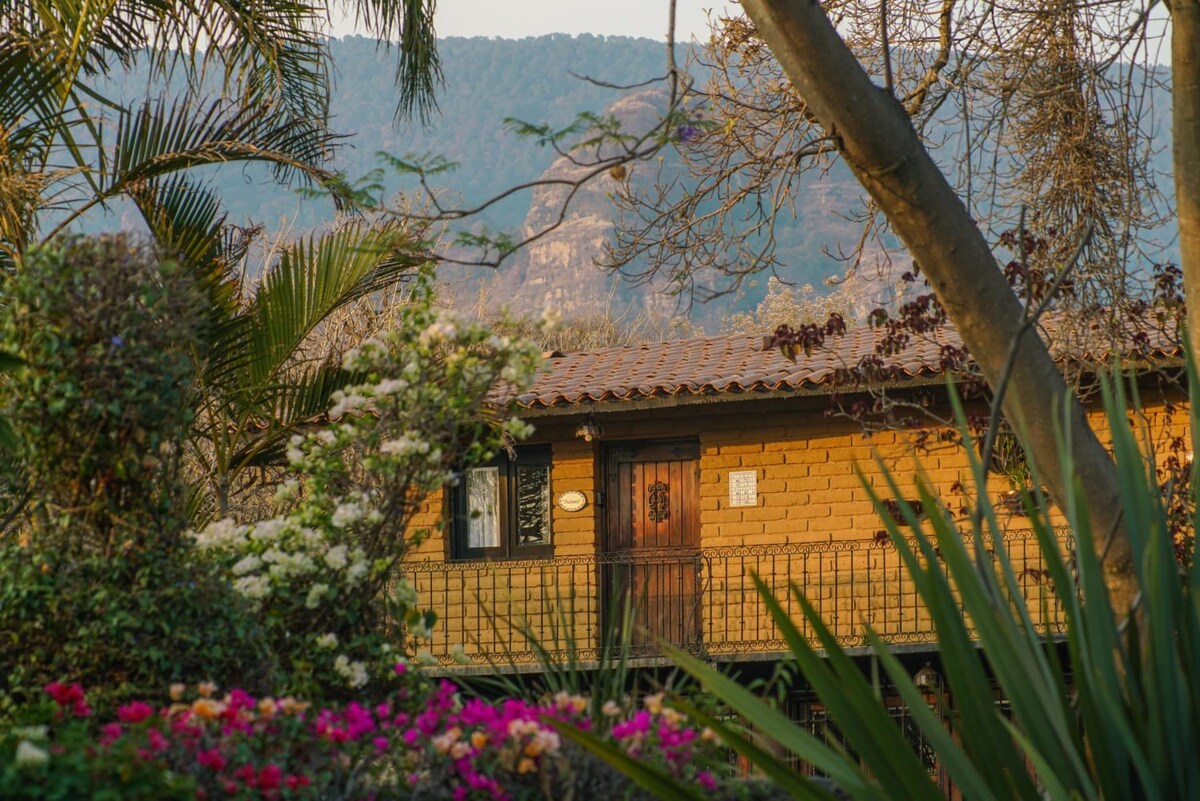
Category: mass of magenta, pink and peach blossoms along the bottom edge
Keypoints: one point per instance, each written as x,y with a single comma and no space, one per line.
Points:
244,748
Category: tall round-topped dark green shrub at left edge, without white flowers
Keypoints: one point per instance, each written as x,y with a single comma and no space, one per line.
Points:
98,582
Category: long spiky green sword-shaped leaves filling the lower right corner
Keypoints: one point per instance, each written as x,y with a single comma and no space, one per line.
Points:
1115,718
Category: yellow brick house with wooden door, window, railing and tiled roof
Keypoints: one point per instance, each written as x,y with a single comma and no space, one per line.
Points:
665,477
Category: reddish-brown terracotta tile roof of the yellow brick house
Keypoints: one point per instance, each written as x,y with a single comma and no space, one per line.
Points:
739,364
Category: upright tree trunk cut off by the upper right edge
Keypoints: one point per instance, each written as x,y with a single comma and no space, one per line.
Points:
1186,150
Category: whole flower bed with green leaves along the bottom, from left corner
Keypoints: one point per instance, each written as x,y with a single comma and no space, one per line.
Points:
419,742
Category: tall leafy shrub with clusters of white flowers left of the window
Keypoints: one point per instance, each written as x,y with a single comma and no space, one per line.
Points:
323,576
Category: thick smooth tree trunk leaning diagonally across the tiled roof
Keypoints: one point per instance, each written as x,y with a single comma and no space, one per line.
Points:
879,143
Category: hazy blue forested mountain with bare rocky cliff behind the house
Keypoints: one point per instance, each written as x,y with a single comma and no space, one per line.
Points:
488,81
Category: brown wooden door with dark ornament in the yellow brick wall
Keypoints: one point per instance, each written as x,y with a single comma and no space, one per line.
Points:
652,564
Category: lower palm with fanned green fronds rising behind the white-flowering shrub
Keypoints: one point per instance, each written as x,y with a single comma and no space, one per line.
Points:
257,388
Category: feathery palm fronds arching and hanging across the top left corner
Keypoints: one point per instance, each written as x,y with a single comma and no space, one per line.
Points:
67,148
